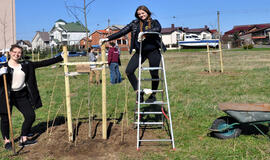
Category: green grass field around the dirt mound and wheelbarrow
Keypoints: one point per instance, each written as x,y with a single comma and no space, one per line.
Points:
194,96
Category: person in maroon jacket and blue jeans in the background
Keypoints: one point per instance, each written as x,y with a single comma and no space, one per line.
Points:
113,61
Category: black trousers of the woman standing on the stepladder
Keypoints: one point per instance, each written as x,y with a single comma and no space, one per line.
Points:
153,57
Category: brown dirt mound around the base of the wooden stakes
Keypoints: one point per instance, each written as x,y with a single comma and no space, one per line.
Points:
57,146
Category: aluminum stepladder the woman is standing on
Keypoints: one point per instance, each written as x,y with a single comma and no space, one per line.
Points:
162,103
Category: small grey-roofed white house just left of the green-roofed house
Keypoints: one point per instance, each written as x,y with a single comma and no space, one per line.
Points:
41,40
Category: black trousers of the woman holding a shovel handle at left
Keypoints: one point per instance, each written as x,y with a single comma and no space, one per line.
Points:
20,100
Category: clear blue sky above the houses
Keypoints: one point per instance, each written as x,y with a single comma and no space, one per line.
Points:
36,15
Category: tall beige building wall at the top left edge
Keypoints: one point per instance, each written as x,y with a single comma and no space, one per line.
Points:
8,24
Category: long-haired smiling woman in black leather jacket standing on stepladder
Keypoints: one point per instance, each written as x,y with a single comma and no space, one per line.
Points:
150,47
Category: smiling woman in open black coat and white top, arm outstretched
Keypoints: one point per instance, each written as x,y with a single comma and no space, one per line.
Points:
22,92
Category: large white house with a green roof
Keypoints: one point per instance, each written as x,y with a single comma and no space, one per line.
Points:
66,33
